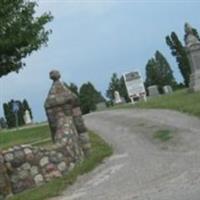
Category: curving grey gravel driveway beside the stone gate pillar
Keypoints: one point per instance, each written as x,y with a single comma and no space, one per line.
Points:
142,167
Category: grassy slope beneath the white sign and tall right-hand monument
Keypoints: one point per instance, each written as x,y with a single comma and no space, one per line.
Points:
181,100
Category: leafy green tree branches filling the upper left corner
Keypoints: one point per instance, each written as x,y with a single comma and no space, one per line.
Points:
21,33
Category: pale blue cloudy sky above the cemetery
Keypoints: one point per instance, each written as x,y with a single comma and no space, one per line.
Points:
94,38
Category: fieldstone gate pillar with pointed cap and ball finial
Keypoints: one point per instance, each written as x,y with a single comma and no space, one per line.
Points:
65,117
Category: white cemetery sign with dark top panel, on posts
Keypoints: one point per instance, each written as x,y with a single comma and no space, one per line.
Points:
134,85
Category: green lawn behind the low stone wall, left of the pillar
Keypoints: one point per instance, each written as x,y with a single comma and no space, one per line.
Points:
24,136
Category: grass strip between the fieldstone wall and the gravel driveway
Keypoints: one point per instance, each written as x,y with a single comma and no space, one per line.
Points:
100,150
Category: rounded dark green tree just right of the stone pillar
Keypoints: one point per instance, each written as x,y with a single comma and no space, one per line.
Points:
89,97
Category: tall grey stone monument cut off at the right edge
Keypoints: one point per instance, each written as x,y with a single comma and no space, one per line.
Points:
193,53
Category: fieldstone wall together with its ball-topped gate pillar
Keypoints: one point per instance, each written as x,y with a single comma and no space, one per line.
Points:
24,166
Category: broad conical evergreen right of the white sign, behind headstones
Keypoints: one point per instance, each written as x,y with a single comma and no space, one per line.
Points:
158,72
